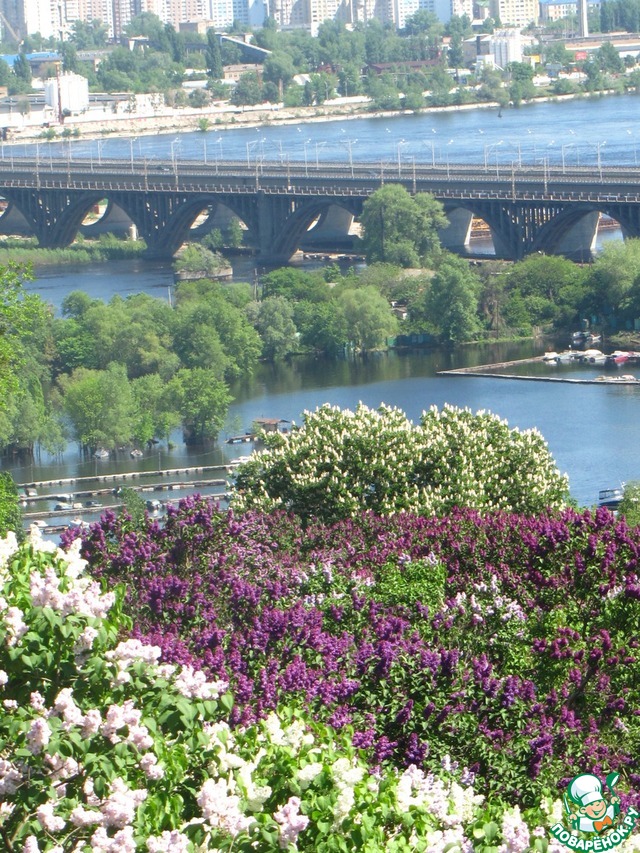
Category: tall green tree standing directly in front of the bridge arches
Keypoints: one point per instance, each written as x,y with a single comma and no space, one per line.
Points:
399,228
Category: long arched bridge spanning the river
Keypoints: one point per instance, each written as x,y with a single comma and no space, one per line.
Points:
543,208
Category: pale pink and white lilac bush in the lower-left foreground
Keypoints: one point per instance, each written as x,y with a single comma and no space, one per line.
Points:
104,749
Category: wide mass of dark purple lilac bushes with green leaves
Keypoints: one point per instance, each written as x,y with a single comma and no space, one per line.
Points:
507,642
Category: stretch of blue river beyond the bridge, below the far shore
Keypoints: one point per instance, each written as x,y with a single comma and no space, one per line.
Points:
581,131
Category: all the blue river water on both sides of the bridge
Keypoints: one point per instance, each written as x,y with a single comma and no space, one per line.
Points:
592,430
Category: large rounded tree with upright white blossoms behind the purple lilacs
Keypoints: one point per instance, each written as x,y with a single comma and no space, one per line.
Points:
342,462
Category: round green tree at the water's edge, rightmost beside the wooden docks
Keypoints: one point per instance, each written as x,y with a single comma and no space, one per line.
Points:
202,399
